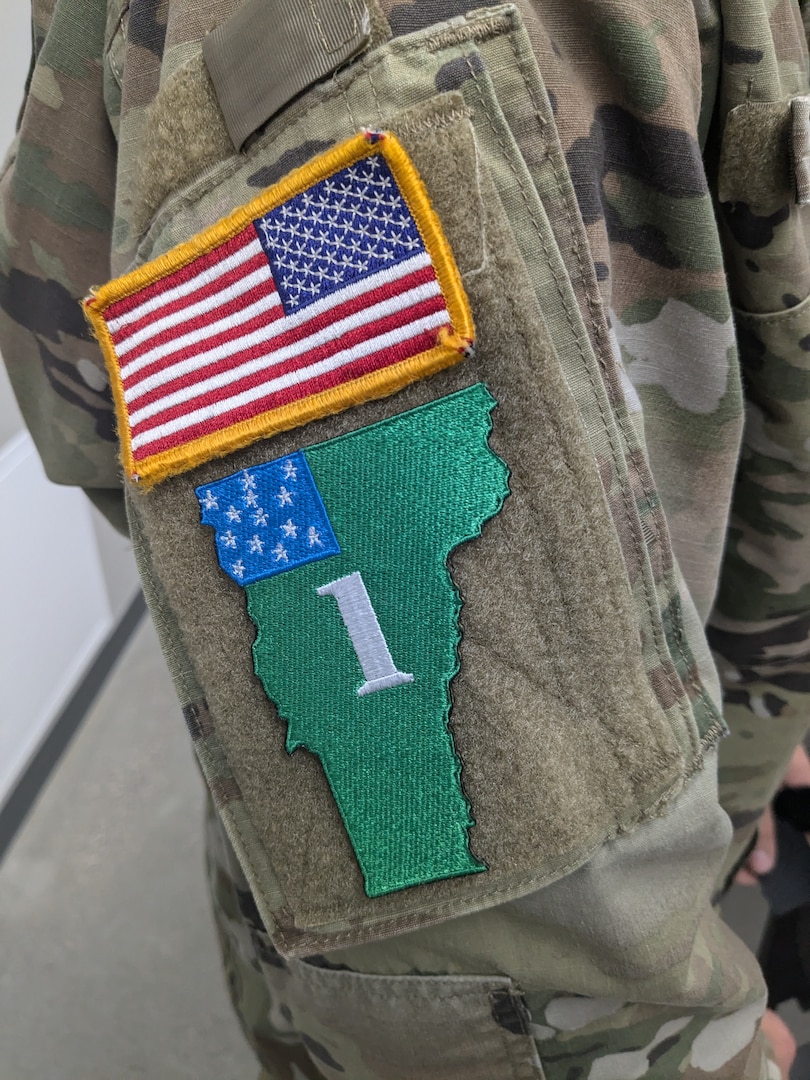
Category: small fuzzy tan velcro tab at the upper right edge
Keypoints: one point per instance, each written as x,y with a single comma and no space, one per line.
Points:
765,157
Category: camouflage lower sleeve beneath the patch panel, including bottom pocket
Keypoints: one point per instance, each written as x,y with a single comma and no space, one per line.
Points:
622,970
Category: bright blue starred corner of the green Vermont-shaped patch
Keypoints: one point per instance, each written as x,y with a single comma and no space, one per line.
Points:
268,520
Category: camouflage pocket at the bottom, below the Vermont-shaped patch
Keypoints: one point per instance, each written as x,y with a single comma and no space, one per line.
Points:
409,1028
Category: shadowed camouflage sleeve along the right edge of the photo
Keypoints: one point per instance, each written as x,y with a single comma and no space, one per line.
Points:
761,625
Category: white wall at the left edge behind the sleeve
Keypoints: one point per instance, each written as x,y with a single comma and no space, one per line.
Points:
66,577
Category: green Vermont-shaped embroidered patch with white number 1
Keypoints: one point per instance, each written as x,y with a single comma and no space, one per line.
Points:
343,552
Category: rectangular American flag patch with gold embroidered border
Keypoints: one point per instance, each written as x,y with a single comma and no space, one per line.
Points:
335,287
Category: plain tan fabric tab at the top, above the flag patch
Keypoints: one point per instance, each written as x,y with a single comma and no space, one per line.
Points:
271,51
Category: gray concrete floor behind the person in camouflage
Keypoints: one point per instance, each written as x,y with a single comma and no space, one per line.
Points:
110,962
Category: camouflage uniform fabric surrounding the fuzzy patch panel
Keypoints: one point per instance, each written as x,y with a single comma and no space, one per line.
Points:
651,163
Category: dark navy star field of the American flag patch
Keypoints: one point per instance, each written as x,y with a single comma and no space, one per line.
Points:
342,229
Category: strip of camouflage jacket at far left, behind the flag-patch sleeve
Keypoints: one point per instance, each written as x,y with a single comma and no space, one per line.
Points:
58,194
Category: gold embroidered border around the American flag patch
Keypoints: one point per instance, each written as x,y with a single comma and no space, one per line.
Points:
451,348
